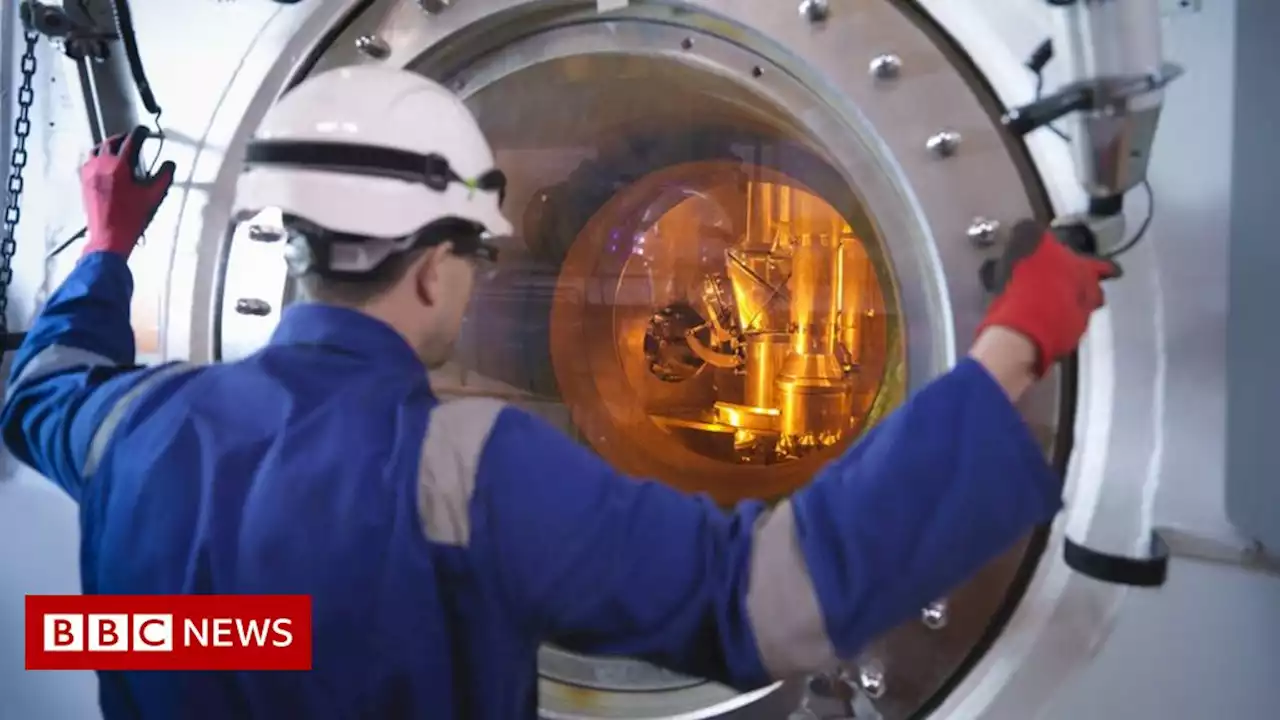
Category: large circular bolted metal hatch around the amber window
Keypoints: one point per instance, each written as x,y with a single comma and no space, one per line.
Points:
616,127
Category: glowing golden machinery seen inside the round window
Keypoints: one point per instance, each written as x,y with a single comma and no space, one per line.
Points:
787,318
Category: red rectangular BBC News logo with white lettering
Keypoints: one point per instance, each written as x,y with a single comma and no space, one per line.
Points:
202,632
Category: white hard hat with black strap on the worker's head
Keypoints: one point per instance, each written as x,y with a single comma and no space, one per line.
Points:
374,153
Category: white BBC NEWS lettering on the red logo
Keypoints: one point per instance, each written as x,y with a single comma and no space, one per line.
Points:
156,634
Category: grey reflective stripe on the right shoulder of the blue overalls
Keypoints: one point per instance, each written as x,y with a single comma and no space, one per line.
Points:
456,435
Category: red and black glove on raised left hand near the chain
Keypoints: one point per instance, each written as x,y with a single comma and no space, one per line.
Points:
120,198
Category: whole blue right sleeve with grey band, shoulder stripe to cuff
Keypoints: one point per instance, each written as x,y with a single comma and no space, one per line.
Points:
604,564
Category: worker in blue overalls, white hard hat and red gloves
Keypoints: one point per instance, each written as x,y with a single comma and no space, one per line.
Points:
444,543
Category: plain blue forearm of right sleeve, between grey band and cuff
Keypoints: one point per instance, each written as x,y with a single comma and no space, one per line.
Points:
941,487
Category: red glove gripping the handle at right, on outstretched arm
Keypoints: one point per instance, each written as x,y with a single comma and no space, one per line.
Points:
1049,293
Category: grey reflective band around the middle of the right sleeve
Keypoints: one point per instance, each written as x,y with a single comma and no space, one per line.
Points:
781,601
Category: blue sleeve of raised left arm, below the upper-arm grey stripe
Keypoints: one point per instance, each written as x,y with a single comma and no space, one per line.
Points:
72,371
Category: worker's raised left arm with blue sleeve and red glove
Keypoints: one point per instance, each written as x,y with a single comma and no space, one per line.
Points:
75,373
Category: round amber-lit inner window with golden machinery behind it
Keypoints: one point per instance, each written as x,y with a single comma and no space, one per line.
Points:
765,285
